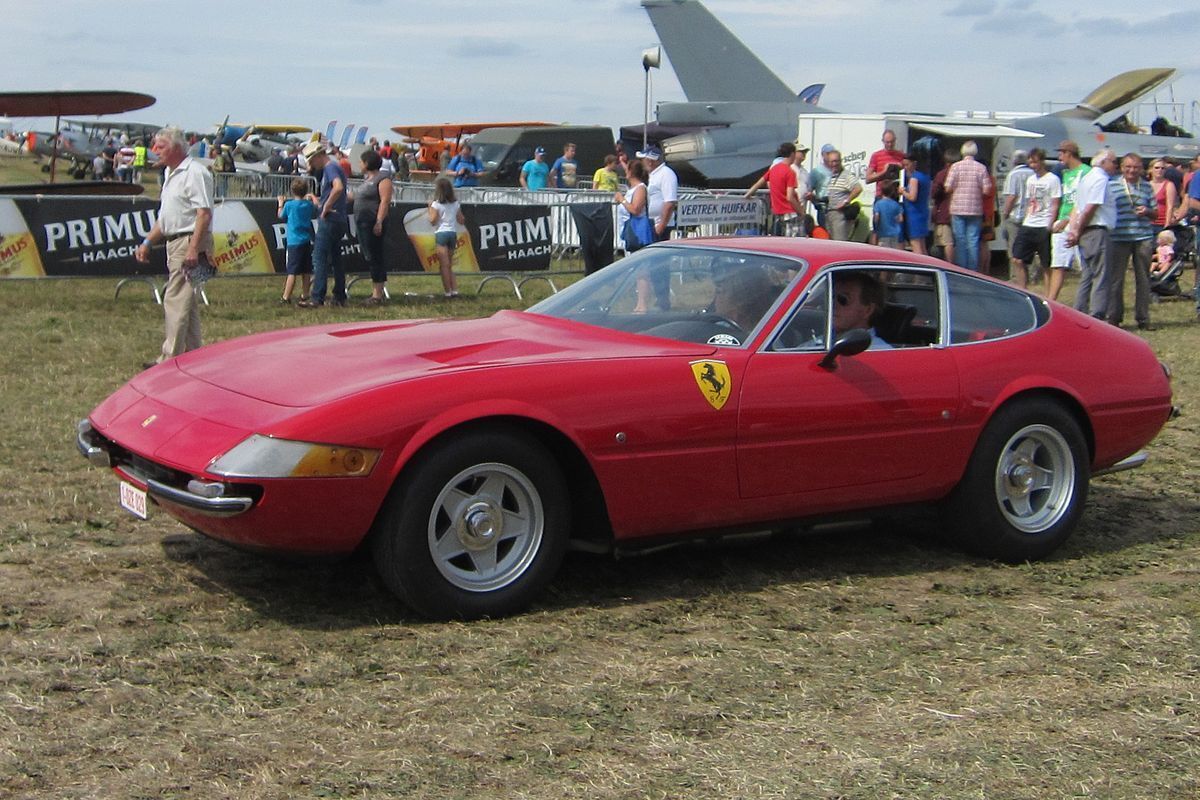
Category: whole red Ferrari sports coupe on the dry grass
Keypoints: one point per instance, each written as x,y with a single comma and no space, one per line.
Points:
695,388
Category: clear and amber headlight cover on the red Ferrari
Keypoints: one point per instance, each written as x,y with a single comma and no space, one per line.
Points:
261,456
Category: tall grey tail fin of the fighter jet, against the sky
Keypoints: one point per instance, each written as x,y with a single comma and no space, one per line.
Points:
711,63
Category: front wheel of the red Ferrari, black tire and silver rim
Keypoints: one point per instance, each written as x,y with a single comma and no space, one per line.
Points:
476,527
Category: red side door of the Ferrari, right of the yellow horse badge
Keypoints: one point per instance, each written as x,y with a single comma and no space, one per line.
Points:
875,422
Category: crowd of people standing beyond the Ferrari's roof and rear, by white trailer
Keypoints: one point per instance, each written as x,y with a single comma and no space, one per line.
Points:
1100,218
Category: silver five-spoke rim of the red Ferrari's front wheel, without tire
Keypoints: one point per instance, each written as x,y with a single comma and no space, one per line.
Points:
485,528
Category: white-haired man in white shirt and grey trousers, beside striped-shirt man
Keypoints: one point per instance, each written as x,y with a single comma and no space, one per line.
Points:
1090,227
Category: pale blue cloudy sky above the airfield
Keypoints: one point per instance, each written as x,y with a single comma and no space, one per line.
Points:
385,63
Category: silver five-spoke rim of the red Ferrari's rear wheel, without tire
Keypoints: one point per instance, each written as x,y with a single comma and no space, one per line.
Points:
1035,479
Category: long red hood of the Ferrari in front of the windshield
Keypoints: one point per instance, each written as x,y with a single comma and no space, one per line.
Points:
309,366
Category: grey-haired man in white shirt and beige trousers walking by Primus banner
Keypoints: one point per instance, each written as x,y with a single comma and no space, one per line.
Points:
185,225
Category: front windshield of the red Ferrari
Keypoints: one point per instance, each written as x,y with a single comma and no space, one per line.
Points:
691,294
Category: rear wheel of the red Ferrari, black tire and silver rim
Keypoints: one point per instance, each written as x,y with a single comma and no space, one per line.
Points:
1025,486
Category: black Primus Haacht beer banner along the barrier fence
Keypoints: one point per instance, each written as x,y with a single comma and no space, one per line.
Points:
98,237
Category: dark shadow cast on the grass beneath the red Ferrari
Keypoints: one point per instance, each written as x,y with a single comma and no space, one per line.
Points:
347,594
